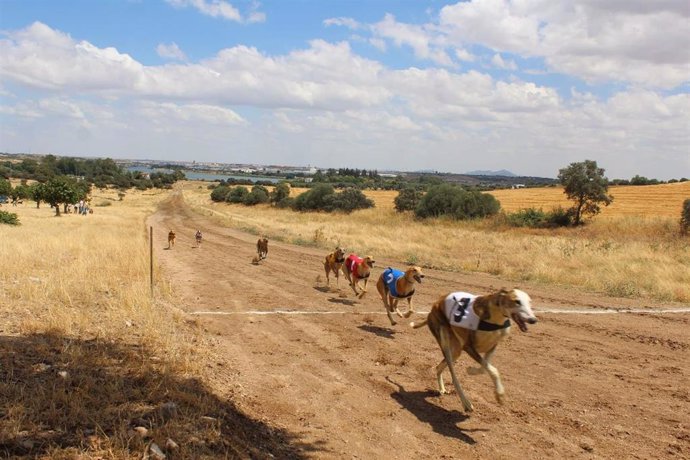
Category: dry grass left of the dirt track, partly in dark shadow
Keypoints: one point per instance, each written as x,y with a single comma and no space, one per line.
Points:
86,356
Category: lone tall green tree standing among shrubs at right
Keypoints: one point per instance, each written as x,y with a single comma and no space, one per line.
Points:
586,185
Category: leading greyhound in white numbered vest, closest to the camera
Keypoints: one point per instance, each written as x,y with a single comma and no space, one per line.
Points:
475,324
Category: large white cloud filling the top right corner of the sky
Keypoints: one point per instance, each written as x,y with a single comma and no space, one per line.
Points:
639,42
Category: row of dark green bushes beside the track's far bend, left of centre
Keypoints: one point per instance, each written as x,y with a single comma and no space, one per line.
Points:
321,197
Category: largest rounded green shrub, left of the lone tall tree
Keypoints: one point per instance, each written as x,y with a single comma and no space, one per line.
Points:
453,201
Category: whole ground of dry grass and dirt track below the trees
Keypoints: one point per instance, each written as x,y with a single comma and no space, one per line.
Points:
330,377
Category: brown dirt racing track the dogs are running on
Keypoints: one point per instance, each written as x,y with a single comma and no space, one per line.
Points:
348,385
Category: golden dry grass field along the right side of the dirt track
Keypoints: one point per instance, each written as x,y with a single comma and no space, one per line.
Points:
632,249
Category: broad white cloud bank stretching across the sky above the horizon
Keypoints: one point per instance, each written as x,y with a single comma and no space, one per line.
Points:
325,98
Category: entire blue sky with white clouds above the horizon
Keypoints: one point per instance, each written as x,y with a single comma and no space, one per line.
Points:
524,85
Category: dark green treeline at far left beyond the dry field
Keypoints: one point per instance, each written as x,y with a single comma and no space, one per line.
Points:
99,172
